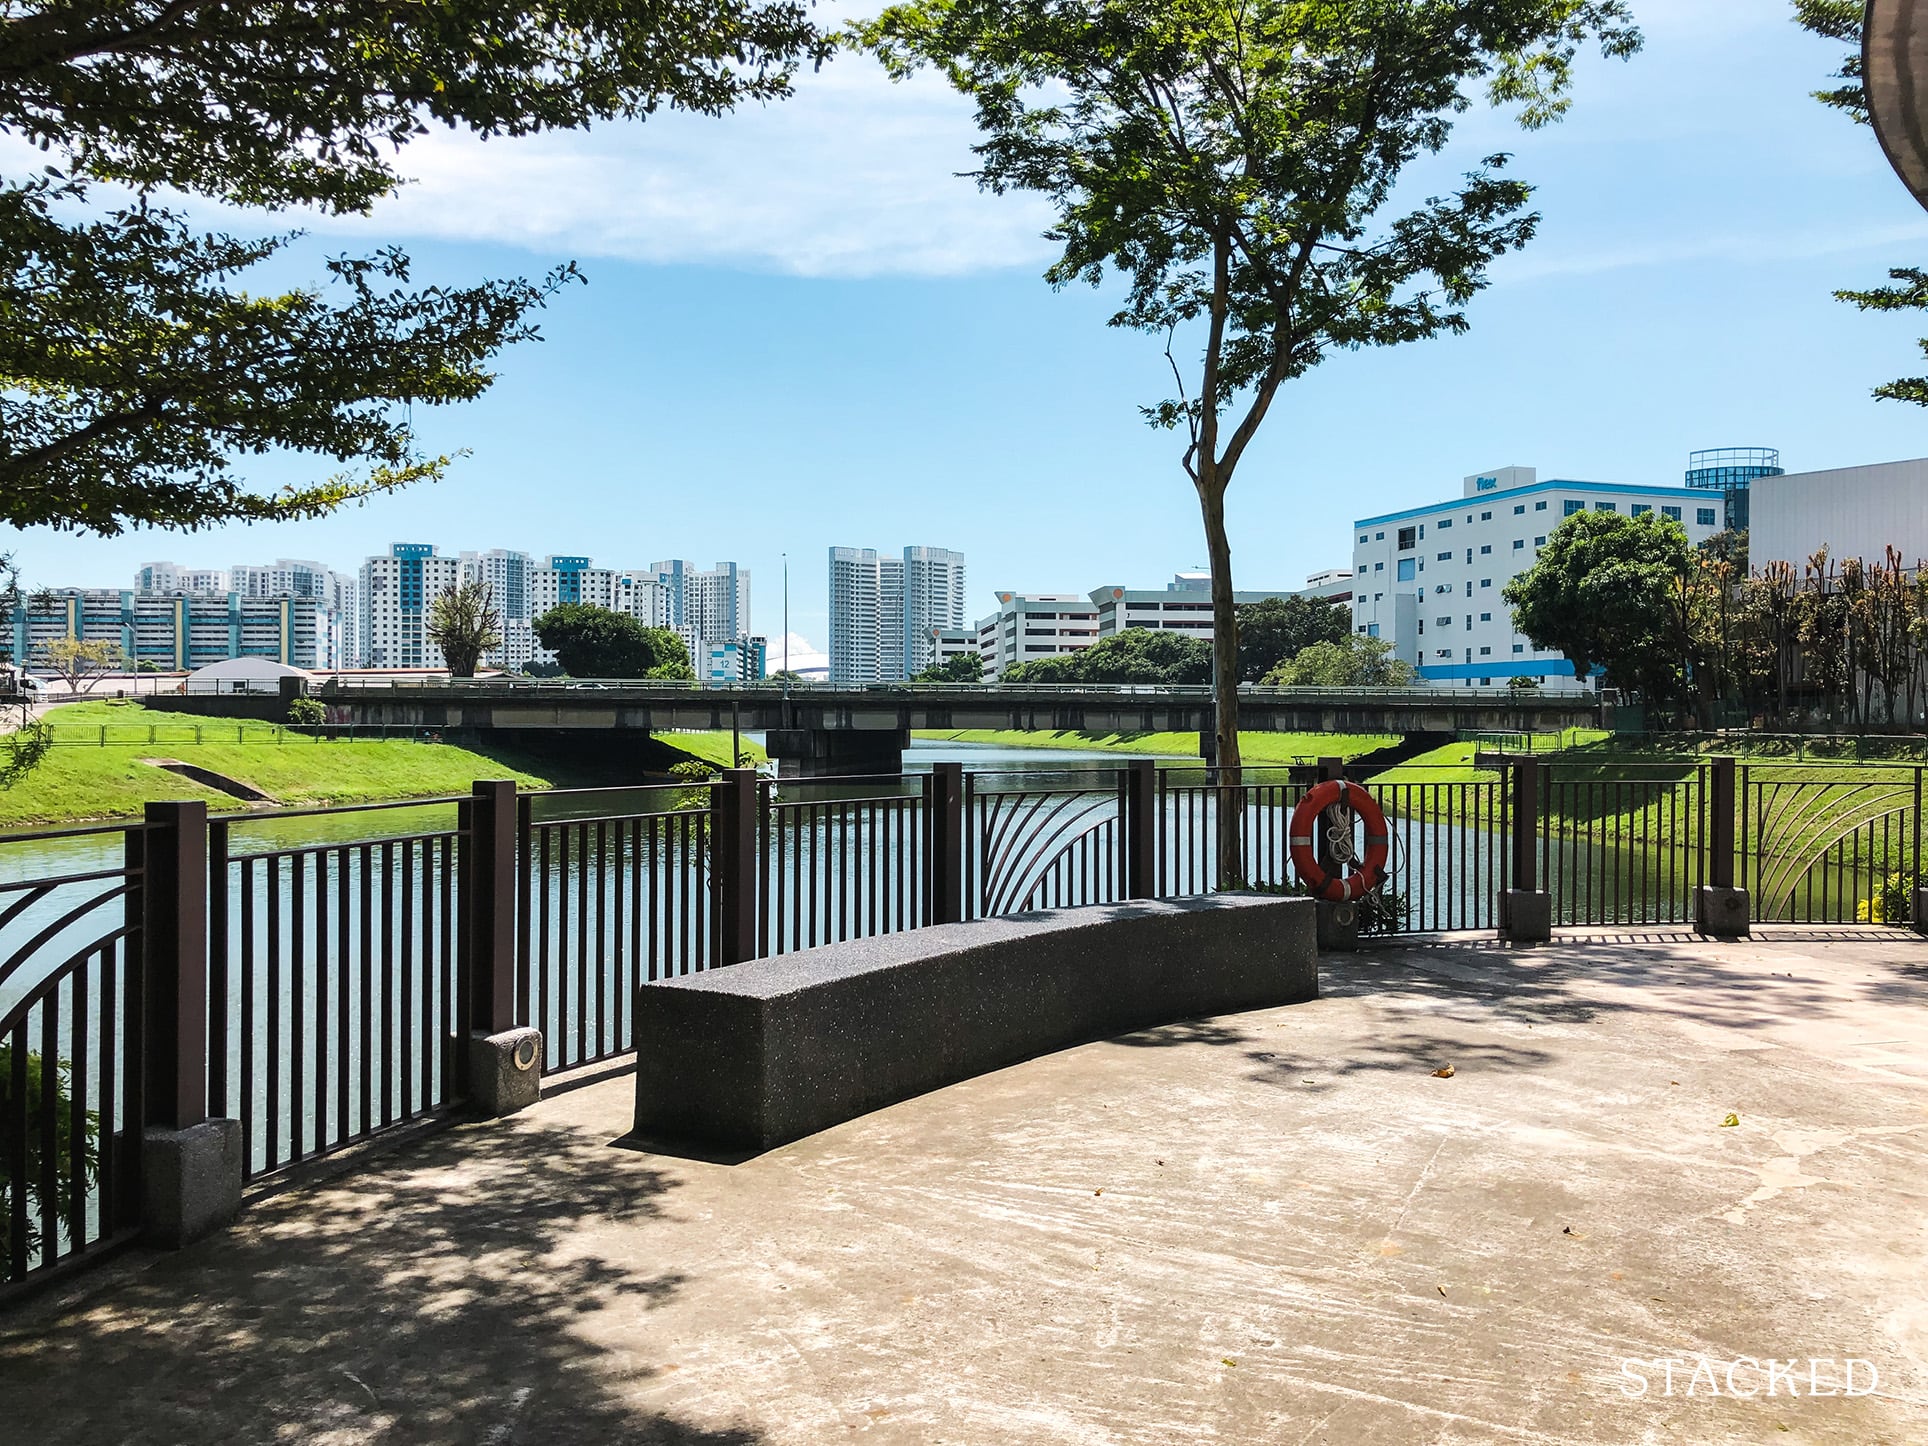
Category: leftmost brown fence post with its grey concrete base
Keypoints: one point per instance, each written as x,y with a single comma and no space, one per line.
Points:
190,1165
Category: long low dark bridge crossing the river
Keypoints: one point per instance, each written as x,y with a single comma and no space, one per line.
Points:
824,732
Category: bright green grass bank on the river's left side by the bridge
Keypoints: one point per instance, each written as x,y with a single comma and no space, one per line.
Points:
97,766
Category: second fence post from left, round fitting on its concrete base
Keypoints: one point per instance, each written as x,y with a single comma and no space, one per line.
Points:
500,1059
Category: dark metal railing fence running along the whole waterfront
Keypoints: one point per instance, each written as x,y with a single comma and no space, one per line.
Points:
313,973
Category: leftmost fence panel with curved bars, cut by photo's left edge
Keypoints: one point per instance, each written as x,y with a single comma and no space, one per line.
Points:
70,1046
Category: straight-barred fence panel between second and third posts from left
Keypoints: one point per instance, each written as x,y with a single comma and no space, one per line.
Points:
614,892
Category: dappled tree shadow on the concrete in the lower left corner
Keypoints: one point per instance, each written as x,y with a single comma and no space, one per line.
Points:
437,1300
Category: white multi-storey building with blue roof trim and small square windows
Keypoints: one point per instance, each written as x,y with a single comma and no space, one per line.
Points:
1430,579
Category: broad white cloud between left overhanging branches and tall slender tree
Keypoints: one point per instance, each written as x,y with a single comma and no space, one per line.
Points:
853,176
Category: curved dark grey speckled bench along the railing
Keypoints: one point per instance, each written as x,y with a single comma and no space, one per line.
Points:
770,1052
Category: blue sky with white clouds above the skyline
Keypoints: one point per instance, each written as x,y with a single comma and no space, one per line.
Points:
805,331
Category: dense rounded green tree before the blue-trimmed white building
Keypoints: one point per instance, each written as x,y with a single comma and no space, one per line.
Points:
1599,595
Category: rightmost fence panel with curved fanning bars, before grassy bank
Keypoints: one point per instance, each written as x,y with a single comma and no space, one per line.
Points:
1821,849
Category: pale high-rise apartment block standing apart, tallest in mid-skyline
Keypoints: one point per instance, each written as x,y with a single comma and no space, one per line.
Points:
886,612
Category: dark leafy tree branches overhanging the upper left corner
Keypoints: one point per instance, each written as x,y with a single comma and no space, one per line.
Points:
134,365
